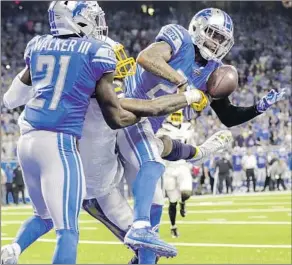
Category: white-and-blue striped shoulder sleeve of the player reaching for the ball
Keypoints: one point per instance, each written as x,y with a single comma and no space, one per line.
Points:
173,35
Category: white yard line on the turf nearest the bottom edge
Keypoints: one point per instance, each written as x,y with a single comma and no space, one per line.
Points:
92,242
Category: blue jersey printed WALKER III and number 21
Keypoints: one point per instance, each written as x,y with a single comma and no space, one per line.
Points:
64,72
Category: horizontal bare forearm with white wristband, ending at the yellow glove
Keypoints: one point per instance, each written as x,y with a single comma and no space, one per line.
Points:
161,105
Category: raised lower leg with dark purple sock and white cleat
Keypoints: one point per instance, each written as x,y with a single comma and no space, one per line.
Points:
175,150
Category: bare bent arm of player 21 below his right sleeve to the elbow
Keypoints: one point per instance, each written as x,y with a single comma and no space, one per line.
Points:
115,116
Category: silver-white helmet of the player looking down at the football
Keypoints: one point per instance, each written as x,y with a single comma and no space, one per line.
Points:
211,30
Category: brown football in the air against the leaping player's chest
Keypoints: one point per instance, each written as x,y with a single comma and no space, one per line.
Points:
222,82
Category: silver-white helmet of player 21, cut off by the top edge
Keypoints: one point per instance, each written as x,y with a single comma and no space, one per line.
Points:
84,18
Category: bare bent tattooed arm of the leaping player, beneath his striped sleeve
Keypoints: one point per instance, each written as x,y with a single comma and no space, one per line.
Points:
154,60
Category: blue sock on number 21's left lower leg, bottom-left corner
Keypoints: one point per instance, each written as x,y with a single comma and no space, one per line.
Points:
31,230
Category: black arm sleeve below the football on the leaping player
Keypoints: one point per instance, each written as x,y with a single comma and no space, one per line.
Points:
231,115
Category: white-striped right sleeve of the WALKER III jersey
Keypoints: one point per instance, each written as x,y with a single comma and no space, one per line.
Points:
103,61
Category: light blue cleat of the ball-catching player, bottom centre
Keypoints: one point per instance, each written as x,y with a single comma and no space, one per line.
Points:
147,238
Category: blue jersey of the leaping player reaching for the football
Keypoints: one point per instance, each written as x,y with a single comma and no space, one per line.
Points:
145,85
